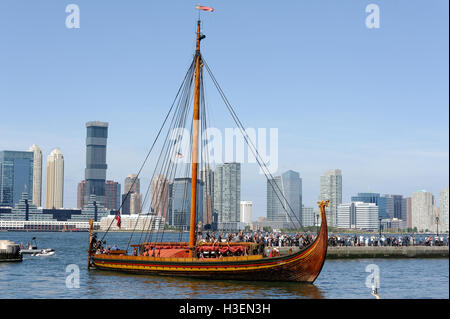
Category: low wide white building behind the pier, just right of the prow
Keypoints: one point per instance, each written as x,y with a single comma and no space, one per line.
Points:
358,215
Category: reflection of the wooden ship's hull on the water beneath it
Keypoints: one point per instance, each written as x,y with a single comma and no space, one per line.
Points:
193,288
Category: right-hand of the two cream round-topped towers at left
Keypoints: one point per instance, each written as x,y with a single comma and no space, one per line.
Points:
54,191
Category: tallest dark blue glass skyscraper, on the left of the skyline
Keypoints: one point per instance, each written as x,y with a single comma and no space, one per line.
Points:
95,173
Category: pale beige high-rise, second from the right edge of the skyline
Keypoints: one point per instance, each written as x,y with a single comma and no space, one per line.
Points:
422,210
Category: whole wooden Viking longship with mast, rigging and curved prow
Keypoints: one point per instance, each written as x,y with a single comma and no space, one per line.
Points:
241,260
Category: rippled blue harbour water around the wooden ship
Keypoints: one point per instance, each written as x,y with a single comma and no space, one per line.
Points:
45,277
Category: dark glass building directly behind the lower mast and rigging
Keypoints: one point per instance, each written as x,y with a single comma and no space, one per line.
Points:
180,203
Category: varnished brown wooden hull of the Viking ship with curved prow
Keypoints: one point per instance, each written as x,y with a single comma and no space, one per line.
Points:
302,266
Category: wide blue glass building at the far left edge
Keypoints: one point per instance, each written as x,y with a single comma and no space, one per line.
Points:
16,176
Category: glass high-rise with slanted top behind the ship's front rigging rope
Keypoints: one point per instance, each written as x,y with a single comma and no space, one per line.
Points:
284,198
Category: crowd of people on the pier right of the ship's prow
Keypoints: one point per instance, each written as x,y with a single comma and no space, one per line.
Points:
386,240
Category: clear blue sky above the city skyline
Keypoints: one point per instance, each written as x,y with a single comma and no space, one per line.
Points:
372,102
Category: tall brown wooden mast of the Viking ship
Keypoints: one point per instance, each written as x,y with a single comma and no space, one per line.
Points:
195,143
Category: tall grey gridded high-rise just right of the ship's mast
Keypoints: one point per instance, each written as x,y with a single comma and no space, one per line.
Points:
227,192
